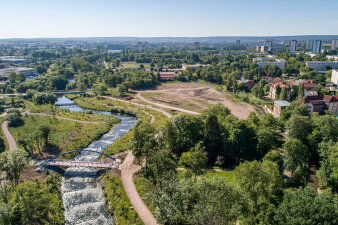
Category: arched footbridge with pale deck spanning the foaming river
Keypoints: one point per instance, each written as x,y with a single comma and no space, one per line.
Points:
73,163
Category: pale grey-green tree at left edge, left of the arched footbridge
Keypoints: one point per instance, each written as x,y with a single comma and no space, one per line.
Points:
13,163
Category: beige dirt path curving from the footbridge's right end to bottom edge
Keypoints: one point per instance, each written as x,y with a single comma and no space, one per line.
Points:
128,168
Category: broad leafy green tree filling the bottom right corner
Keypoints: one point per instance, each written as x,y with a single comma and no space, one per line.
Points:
306,207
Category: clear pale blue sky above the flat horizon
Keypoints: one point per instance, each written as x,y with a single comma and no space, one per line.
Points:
170,18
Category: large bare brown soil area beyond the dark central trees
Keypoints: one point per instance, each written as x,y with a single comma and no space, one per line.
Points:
194,97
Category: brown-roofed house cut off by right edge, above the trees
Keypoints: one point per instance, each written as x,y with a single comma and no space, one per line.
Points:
319,103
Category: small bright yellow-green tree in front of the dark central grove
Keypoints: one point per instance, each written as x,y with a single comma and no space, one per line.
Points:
196,159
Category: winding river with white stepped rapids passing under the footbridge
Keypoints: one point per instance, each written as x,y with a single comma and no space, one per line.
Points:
82,195
